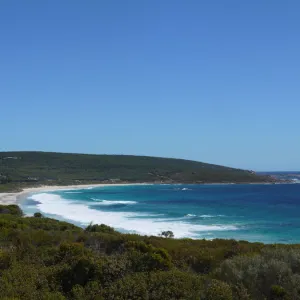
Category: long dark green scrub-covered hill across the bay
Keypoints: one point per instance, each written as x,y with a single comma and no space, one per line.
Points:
63,168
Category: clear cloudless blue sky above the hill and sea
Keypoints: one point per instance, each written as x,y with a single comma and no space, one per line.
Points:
214,81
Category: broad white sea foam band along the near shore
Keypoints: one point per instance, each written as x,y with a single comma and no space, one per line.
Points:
128,221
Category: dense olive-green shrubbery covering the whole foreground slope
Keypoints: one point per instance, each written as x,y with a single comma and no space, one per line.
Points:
41,258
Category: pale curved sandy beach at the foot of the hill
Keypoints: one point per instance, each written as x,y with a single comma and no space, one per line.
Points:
14,198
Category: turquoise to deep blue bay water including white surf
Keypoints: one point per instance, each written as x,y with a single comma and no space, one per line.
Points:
263,213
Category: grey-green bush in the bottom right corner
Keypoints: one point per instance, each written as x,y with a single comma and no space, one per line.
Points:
261,275
